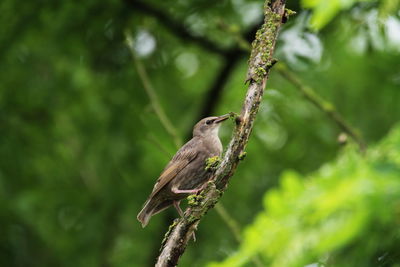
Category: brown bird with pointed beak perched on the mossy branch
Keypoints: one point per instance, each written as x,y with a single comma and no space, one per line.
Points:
185,174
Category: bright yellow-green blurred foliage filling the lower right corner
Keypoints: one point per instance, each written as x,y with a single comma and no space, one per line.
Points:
345,214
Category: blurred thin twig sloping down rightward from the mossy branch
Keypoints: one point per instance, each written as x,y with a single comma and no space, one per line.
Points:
323,105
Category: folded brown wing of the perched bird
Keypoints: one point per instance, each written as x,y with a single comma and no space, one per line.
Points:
181,159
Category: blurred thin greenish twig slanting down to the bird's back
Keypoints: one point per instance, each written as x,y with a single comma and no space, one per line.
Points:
155,103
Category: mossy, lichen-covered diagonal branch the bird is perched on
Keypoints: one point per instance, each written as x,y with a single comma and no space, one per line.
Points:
261,60
